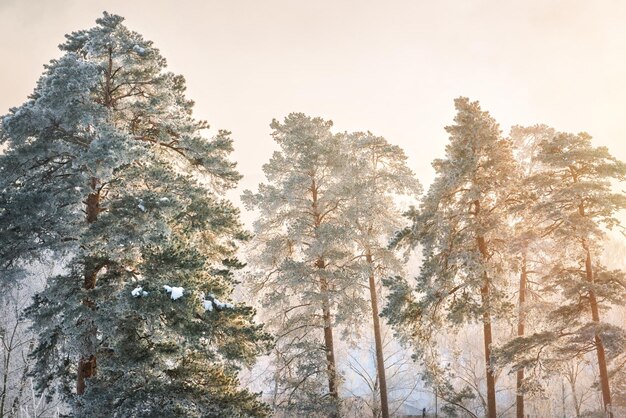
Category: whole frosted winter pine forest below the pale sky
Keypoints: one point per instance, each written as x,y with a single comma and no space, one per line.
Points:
133,284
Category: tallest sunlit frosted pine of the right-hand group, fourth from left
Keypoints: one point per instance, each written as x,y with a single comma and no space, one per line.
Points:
462,228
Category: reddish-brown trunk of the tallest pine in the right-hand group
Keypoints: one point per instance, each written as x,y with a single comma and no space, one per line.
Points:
487,335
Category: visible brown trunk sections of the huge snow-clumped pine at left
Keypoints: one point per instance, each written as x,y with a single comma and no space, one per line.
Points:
87,361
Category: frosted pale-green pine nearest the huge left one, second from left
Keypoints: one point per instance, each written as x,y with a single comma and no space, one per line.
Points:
300,246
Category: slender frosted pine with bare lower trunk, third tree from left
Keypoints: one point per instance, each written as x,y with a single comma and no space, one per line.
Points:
380,175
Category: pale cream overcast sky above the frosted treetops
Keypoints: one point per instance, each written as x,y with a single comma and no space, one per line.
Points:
390,67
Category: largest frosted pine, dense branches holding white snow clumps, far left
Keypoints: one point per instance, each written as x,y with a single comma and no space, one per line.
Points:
106,169
